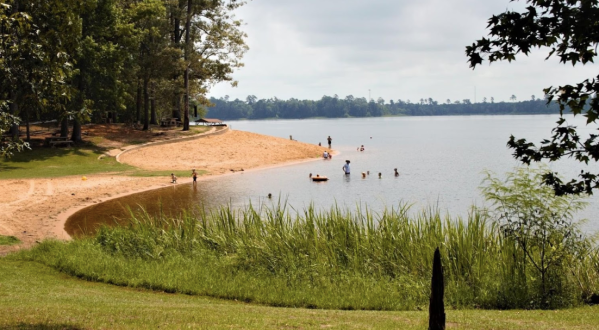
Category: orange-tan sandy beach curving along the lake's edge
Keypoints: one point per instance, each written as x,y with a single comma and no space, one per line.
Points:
36,209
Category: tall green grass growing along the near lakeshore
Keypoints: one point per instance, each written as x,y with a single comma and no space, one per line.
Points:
321,259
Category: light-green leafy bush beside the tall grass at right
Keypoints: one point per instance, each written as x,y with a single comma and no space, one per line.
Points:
539,229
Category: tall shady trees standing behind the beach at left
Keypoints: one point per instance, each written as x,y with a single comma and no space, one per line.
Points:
128,61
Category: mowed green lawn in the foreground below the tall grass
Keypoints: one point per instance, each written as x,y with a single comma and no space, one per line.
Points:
33,296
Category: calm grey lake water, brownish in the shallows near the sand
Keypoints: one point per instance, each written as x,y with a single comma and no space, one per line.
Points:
440,161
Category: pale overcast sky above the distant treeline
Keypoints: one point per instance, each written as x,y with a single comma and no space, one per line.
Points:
394,49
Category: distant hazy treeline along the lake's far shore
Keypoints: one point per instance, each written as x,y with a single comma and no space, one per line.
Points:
335,107
